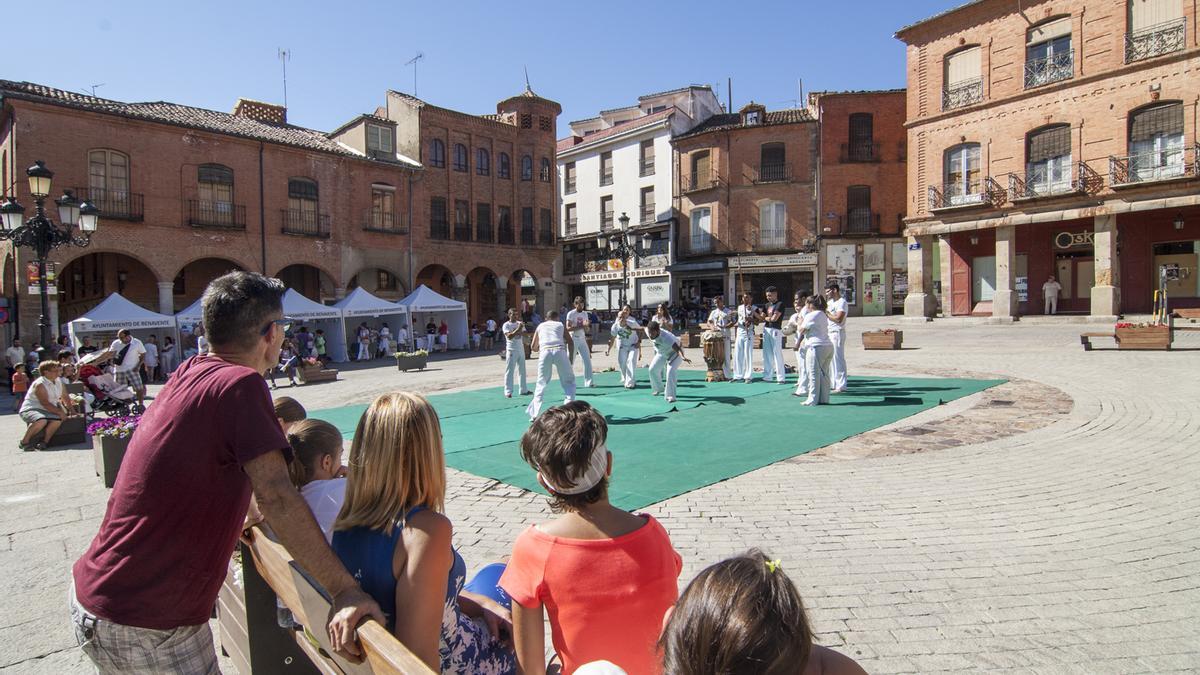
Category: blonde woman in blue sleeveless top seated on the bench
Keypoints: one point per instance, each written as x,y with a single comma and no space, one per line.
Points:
394,539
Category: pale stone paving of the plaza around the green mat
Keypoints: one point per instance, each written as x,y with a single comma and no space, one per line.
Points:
1071,547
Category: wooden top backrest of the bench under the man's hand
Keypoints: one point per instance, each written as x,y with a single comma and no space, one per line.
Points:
308,602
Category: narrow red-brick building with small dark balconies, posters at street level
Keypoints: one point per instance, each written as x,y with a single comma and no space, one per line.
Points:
861,190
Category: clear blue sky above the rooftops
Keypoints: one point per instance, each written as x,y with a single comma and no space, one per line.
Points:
589,57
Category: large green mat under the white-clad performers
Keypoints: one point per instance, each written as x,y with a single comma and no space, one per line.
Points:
713,432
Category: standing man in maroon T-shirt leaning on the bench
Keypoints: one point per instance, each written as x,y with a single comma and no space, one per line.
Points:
143,593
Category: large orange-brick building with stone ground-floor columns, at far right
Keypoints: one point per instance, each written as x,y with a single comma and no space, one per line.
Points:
1053,139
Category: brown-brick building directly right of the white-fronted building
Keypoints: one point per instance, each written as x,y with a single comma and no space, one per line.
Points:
746,195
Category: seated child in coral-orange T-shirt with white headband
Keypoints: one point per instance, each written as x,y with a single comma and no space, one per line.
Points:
604,576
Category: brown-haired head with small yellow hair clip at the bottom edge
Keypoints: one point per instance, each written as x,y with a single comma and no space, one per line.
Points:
745,617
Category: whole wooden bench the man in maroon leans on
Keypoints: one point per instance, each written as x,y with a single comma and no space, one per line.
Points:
267,568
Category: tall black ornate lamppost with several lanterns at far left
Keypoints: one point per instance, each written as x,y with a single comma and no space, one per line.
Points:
41,235
